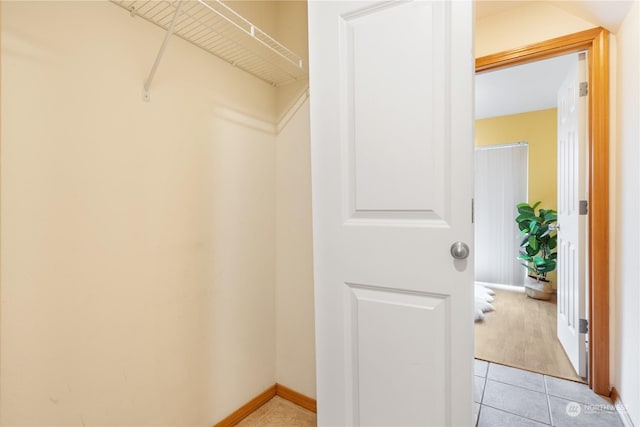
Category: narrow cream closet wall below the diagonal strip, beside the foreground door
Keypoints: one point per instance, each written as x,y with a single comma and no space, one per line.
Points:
294,262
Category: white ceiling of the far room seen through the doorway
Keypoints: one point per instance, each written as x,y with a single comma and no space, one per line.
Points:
522,88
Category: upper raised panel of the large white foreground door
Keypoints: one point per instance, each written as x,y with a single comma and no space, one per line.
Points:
395,147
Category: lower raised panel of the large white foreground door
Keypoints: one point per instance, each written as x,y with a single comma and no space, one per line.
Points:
392,380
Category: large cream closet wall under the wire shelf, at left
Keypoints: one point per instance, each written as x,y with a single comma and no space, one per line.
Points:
138,239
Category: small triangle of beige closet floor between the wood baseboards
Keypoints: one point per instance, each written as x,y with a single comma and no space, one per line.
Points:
279,412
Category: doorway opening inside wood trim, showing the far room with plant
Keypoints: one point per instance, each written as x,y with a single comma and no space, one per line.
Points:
528,328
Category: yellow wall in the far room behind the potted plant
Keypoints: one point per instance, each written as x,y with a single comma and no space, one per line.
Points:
538,128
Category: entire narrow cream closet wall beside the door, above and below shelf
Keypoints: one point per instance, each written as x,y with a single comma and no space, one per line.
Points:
295,331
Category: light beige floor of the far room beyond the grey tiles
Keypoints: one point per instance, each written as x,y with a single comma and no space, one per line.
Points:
521,332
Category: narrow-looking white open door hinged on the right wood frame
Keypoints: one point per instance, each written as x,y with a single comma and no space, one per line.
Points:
572,188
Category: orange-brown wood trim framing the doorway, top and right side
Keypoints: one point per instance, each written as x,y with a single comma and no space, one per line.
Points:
596,42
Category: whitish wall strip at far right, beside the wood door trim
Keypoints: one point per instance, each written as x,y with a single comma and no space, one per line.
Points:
627,204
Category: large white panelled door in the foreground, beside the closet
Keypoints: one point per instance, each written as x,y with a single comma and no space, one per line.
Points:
392,148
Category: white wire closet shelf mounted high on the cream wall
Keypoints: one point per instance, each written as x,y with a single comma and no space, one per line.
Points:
215,27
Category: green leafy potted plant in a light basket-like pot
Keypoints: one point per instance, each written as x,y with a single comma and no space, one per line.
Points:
537,249
